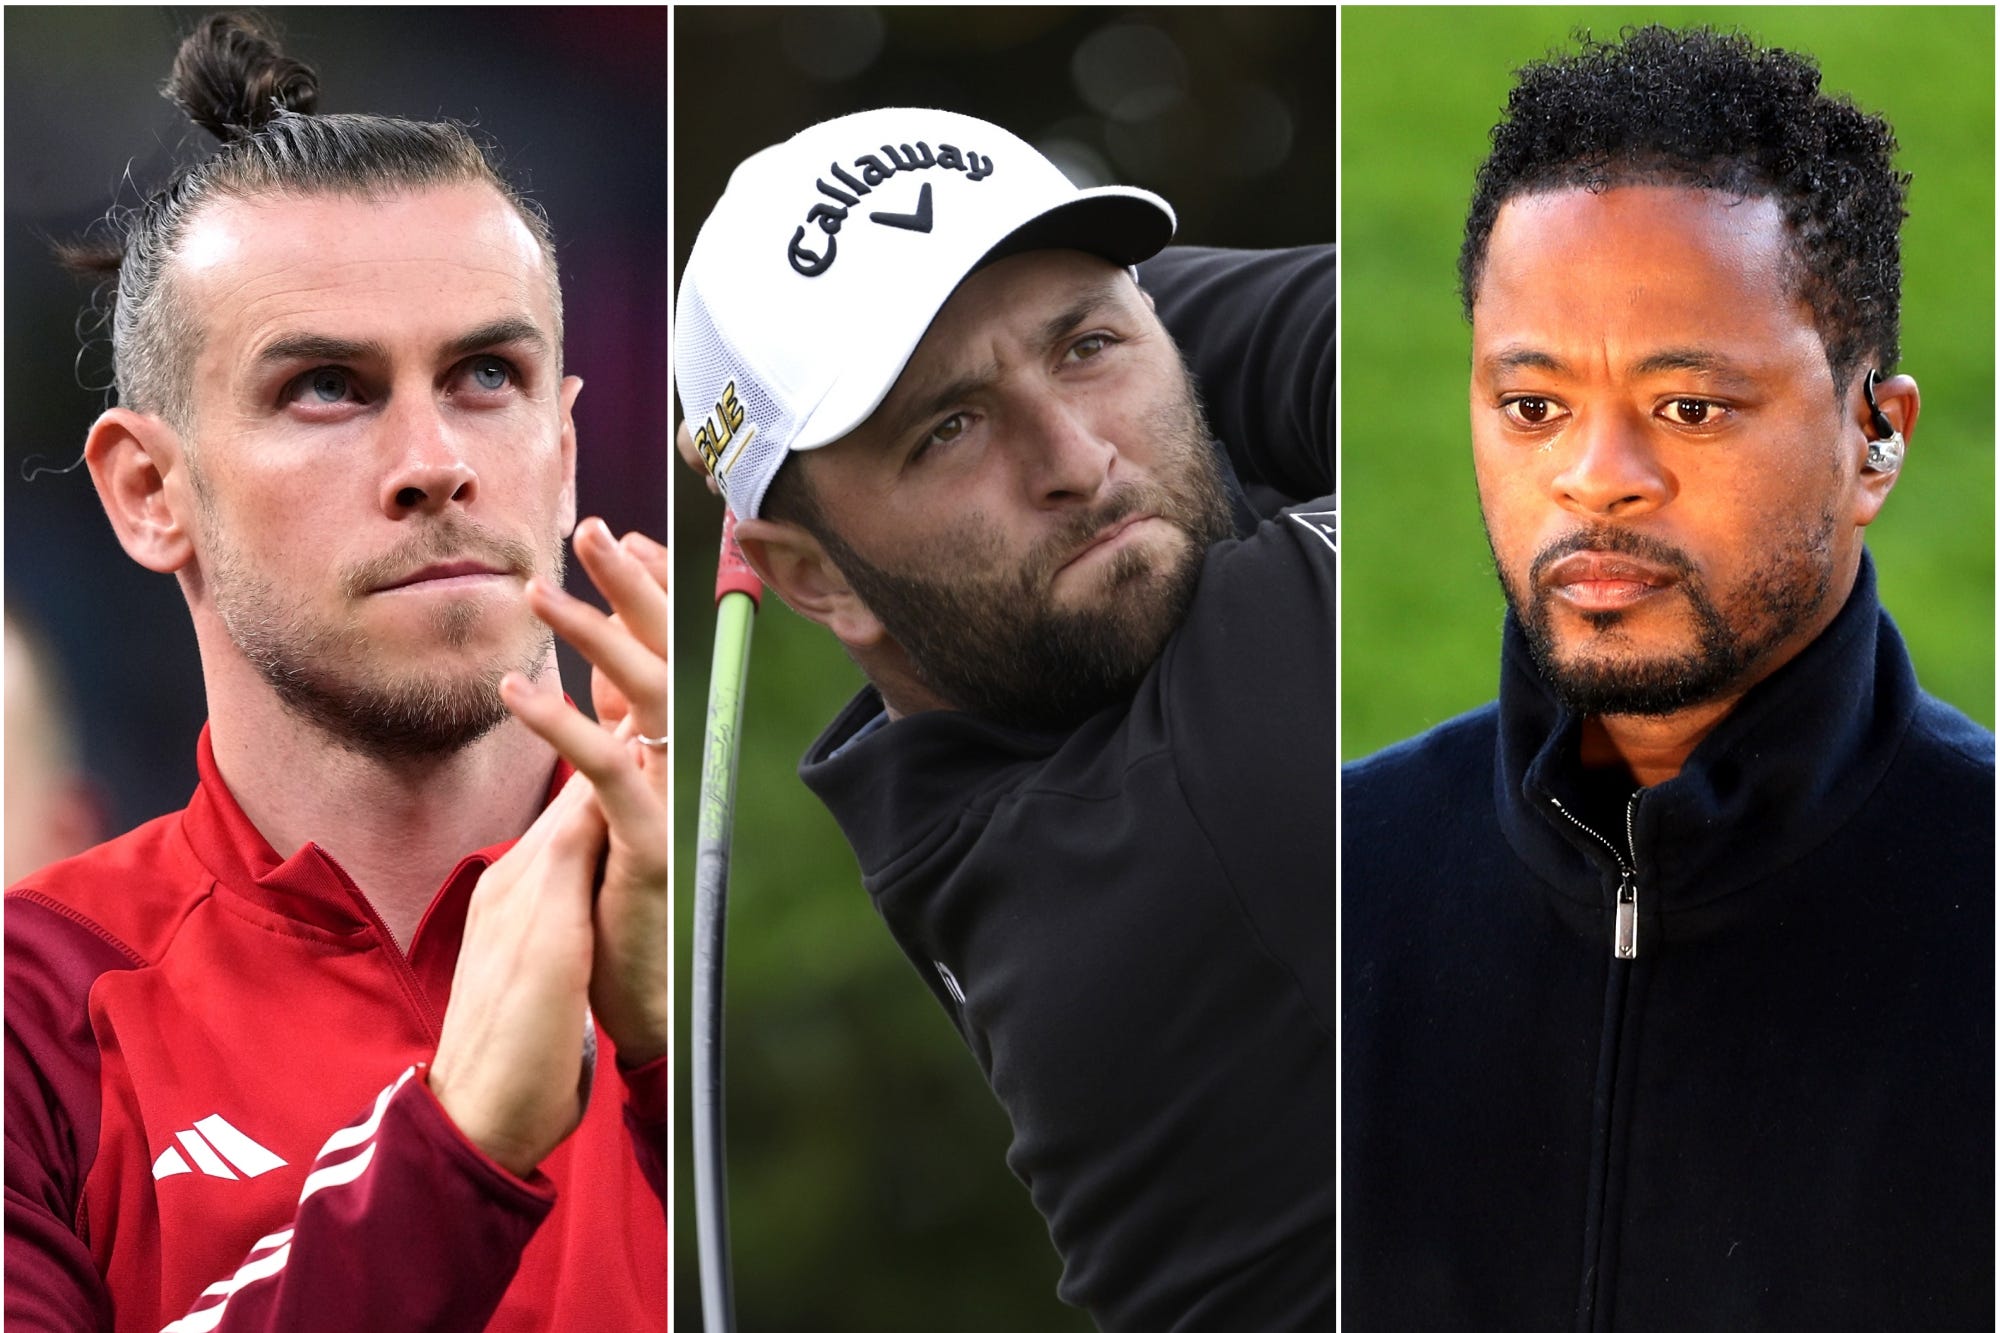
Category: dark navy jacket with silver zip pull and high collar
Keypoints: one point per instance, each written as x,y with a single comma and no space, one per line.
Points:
1777,1116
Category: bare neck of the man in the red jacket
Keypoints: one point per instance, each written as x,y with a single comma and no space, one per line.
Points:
395,826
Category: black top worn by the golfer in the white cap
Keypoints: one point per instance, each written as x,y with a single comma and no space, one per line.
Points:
1133,924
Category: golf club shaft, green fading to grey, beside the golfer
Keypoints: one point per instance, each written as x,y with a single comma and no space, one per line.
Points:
735,613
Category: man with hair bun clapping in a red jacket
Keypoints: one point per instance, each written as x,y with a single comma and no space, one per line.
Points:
373,1034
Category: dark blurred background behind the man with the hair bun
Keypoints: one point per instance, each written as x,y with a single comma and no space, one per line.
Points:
577,101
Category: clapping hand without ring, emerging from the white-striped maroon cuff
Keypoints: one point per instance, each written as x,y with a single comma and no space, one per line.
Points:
511,1056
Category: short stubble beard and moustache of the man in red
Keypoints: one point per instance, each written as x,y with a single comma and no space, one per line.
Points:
331,676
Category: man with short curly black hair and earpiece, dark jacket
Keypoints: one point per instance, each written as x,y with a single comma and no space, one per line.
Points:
1669,978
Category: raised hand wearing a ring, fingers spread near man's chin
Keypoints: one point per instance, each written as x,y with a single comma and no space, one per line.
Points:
629,676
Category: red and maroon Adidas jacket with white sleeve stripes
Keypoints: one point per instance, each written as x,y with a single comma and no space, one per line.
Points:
217,1114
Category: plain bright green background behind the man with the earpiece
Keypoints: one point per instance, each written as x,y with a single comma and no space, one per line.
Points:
1421,89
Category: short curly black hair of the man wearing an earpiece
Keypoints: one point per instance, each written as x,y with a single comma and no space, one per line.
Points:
1715,111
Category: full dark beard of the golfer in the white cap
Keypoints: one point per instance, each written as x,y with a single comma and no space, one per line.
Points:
997,645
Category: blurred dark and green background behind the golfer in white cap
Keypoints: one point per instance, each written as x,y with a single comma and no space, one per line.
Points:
869,1188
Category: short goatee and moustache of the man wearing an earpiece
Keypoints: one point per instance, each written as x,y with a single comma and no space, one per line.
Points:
1789,593
